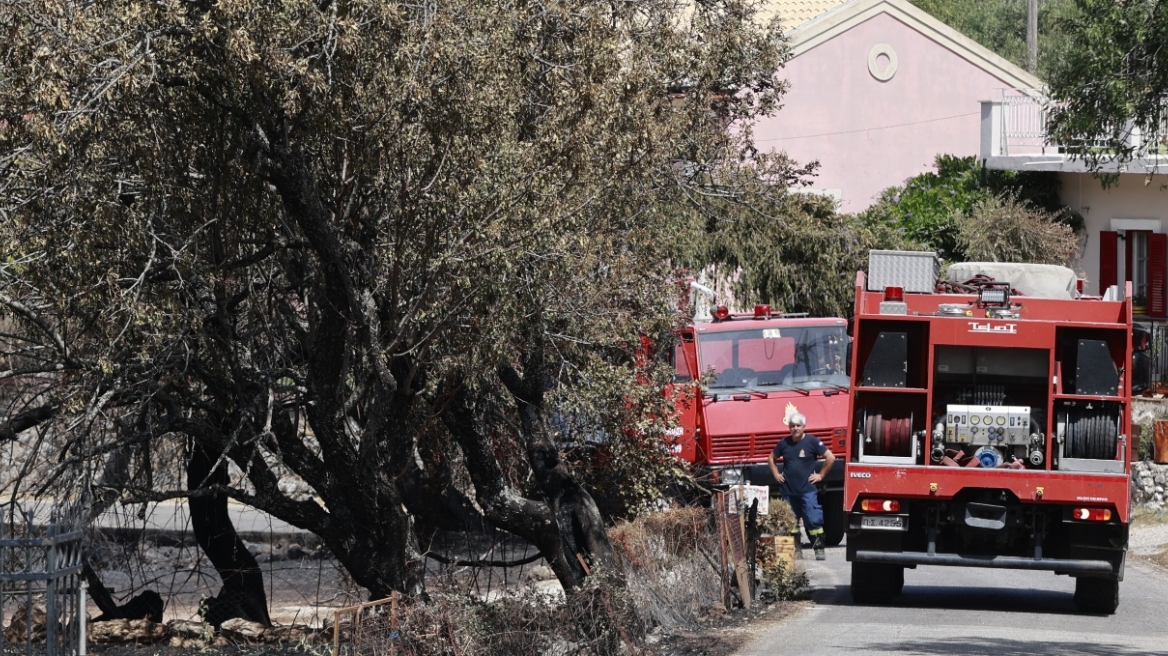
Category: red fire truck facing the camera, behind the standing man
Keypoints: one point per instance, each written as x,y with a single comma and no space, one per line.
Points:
761,368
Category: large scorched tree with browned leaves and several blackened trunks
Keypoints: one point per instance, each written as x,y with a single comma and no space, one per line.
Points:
371,246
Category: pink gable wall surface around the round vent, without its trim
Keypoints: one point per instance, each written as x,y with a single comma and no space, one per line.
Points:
870,135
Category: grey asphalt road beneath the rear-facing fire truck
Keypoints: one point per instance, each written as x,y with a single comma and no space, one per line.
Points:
965,611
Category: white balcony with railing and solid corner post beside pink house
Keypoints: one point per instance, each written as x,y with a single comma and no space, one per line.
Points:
1014,138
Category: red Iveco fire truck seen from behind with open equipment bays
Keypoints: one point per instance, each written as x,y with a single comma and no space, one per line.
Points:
990,430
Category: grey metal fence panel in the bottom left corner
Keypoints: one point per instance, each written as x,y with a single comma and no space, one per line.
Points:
40,568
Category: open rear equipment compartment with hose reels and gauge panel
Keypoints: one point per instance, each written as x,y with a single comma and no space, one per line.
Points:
995,407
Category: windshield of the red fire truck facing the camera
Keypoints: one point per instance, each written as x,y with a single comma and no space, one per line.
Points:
796,358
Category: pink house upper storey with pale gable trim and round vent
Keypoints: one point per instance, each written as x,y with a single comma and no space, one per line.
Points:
879,89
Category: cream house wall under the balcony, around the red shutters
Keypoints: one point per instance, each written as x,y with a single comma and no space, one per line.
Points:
1131,199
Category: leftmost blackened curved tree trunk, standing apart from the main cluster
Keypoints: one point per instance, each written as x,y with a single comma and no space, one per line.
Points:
242,595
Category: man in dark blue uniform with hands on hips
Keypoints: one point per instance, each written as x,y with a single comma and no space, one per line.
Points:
799,453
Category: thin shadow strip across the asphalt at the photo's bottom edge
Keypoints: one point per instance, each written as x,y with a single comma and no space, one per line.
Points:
957,646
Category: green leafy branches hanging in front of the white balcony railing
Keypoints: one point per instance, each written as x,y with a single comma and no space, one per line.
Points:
1114,82
